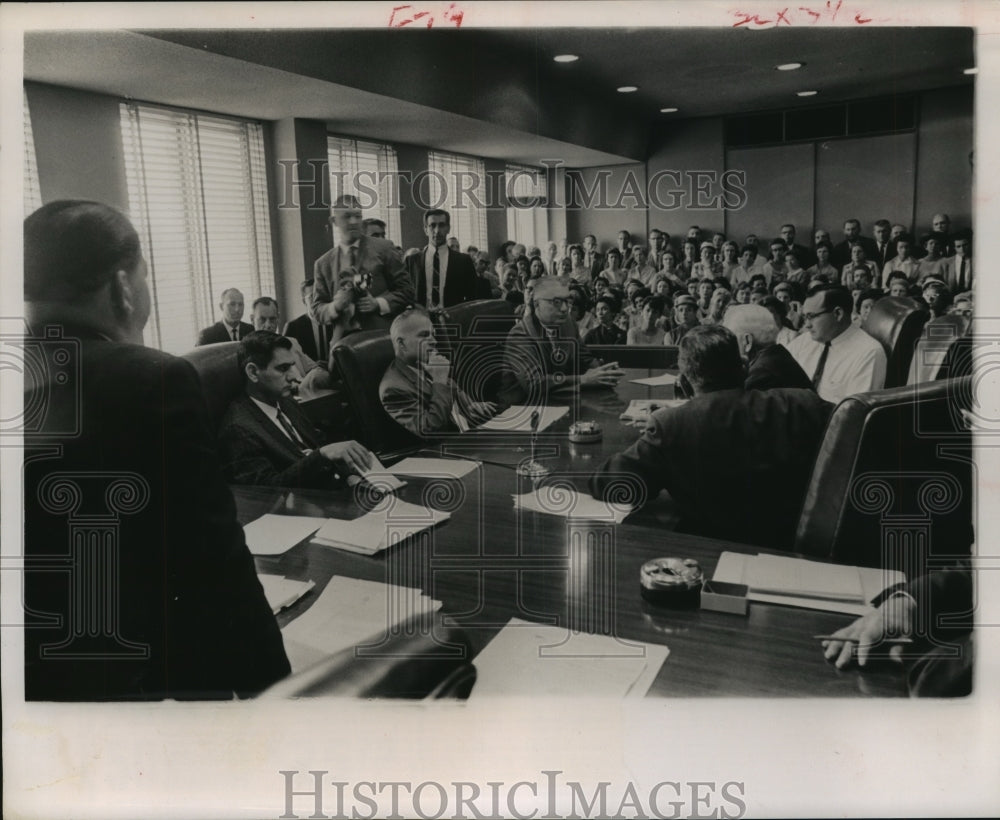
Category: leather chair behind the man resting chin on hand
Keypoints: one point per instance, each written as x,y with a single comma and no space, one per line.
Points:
361,360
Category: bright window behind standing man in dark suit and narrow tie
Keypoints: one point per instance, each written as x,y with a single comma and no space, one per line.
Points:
458,184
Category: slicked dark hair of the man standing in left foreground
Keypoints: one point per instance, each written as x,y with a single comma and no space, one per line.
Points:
74,247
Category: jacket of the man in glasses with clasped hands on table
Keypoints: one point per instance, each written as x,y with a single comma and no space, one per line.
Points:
535,369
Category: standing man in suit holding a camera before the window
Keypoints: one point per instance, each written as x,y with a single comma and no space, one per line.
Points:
360,283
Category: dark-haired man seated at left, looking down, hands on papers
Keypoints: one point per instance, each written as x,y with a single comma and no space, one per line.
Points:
265,439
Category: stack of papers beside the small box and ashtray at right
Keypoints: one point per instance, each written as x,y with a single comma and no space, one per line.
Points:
797,582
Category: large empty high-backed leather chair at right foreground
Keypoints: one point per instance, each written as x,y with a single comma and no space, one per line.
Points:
893,481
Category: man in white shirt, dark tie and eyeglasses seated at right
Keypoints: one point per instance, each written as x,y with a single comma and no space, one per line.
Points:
838,356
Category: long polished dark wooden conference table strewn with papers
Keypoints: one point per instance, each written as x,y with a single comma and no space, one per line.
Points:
490,562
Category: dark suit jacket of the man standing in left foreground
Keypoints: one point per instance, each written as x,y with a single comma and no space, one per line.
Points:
187,595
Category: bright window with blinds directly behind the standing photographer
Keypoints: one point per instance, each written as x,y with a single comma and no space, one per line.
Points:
368,170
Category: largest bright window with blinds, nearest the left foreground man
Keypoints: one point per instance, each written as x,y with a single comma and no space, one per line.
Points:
197,192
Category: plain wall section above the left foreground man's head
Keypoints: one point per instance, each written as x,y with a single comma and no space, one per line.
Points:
78,144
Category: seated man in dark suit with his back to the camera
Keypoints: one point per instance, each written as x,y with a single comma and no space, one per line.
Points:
751,451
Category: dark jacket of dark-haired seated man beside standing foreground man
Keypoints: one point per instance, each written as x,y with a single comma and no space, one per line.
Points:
255,451
